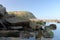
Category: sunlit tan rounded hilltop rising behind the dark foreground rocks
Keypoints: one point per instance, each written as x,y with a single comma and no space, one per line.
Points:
22,14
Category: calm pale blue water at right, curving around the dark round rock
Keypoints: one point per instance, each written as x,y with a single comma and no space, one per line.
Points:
56,32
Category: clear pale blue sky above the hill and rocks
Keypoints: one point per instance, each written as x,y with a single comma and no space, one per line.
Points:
42,9
